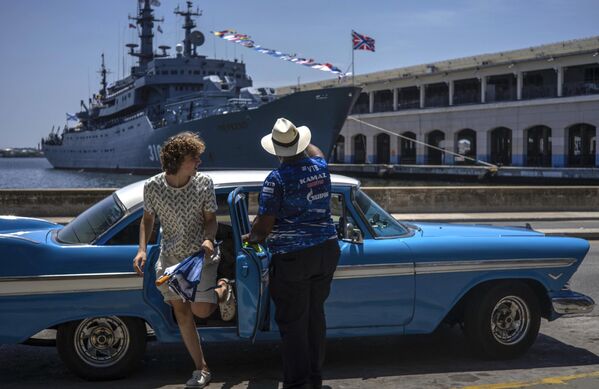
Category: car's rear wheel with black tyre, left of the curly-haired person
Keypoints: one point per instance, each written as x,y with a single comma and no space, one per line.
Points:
102,348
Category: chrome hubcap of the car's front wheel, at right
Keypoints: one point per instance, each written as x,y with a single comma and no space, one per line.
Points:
510,320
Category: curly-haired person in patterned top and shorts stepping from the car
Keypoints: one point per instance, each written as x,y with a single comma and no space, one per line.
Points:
184,201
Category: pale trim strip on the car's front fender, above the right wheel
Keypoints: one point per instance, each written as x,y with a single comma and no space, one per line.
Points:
498,264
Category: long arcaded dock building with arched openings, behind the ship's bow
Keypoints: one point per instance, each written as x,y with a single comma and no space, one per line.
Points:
537,107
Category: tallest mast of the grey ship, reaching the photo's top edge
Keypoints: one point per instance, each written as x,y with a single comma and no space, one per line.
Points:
146,20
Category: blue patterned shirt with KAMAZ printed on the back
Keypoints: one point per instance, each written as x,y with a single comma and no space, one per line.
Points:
298,194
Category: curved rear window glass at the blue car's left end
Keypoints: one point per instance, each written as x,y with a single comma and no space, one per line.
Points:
92,223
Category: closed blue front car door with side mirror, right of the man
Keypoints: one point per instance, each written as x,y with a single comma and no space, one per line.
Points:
374,283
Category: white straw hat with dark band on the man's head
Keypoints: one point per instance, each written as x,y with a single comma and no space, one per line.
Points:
286,140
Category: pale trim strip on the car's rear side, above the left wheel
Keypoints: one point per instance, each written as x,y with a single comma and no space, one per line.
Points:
70,283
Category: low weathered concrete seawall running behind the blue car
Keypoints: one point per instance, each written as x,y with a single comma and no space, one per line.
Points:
71,202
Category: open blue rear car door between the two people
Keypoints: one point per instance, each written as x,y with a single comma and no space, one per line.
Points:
252,266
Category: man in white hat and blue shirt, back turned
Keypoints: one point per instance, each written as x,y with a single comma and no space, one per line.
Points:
295,215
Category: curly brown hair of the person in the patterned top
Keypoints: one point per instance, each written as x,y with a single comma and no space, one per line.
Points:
177,147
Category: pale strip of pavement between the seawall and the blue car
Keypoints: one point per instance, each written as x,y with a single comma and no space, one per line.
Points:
574,224
